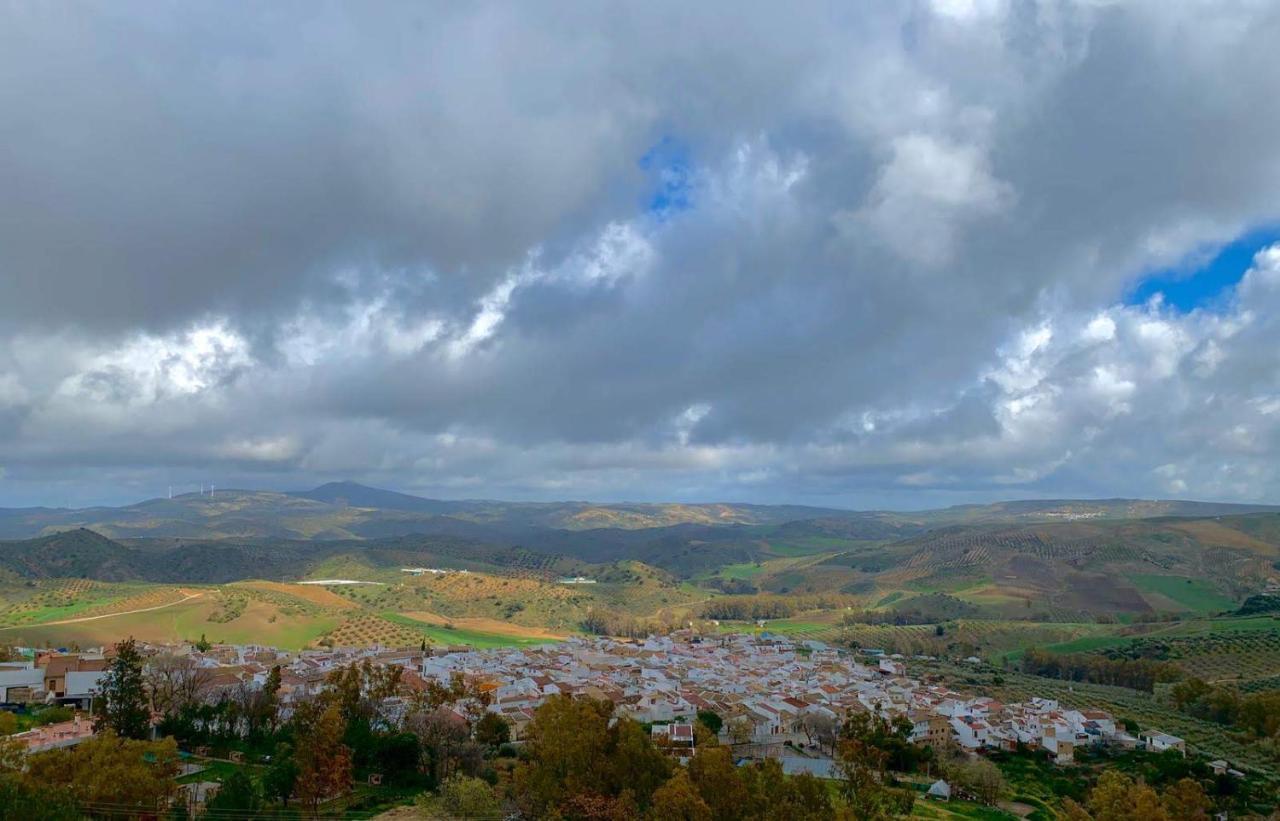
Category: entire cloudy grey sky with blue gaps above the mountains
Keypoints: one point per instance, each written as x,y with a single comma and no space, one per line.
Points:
852,254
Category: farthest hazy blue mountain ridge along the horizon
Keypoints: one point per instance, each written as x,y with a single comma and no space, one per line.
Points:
348,510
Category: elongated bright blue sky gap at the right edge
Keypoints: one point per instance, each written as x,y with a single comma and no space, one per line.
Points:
1203,279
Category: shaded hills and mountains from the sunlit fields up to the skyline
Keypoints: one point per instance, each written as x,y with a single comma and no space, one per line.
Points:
1048,559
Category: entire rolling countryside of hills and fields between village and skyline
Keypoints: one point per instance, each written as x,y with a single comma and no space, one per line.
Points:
979,581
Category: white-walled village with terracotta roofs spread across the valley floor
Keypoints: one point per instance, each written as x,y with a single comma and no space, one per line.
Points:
778,699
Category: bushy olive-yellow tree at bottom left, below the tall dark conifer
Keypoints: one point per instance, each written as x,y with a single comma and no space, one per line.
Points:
135,777
